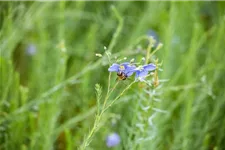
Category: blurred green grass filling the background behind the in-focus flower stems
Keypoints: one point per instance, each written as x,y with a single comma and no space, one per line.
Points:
47,99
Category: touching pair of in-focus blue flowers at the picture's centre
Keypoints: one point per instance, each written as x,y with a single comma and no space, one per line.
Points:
127,69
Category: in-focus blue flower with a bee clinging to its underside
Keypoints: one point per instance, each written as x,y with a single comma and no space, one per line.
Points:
126,68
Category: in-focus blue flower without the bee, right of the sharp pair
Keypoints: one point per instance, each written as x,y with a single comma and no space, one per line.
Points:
142,71
